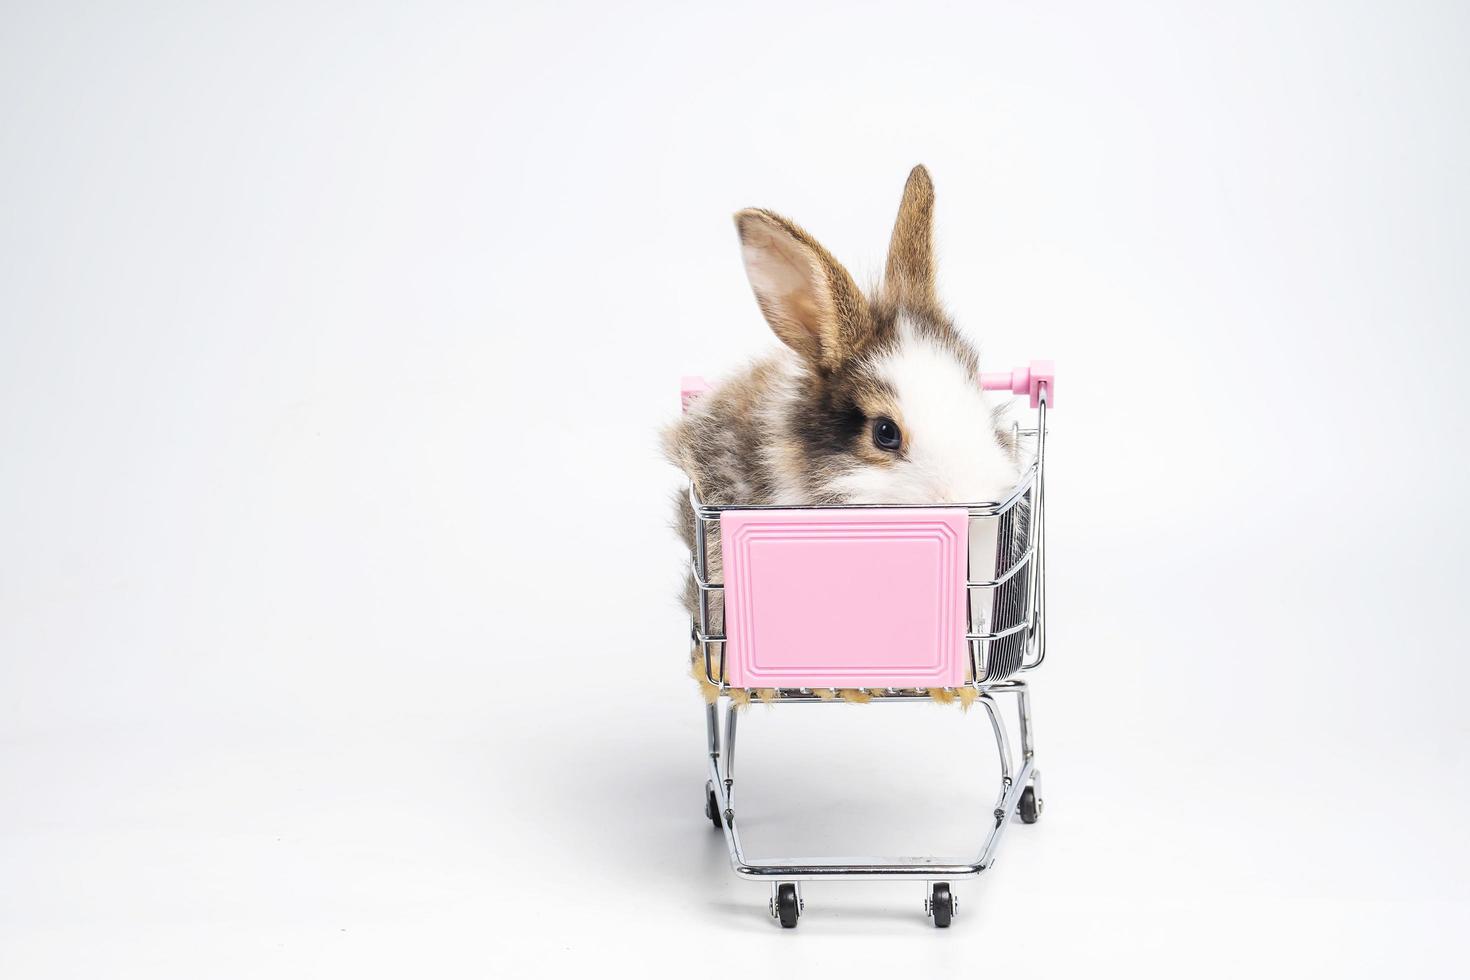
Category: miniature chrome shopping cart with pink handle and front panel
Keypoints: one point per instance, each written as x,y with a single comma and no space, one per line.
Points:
883,605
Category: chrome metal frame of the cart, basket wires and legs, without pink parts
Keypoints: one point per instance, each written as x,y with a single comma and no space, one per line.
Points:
1015,643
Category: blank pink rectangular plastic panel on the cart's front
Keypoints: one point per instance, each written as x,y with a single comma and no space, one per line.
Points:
842,599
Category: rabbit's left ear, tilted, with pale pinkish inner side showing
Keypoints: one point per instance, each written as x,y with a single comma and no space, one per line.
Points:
809,300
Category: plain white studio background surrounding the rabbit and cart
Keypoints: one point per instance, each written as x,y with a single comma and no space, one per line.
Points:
337,621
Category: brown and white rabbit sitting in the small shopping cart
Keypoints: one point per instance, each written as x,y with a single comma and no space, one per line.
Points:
874,399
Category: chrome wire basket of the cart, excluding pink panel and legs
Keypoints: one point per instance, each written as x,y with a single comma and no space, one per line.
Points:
1017,641
